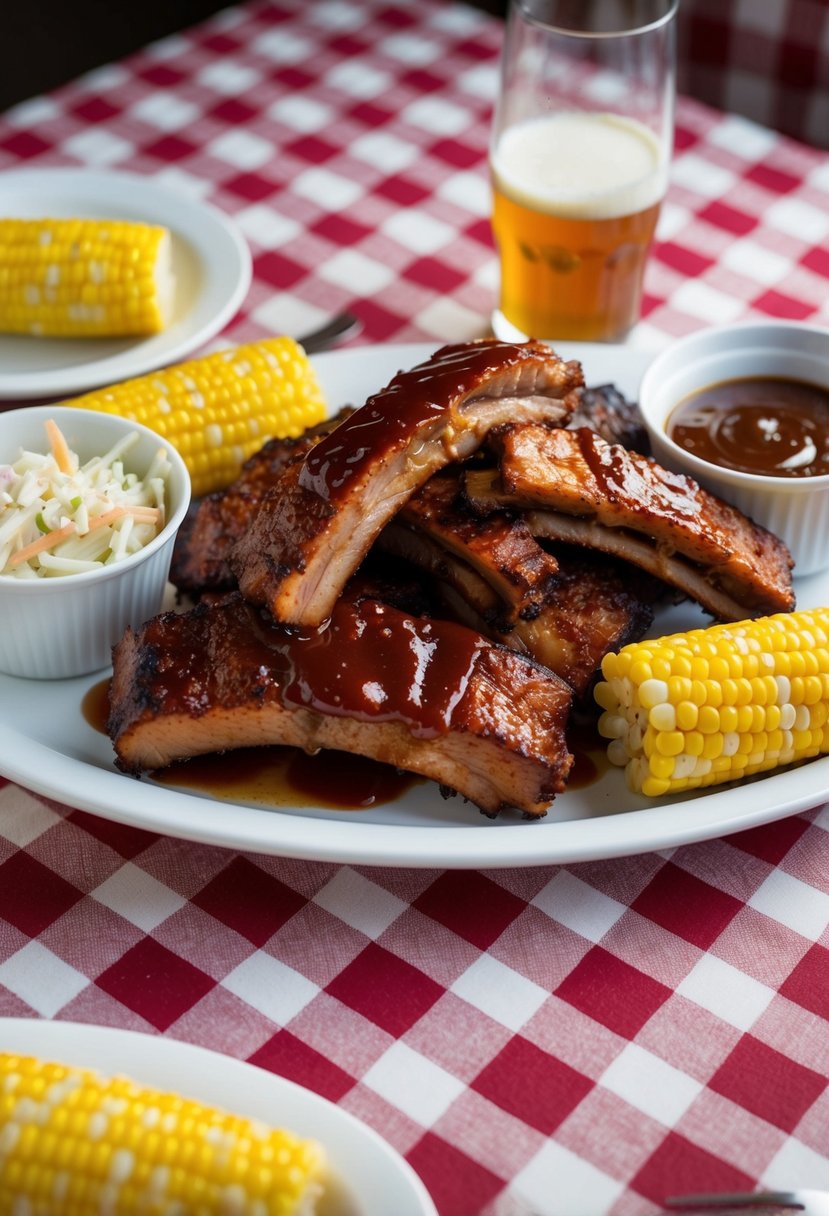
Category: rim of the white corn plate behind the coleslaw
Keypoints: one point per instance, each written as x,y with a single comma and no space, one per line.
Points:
153,352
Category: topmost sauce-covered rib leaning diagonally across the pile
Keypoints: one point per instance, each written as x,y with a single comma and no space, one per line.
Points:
315,527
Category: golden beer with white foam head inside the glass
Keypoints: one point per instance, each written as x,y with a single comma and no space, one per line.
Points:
576,205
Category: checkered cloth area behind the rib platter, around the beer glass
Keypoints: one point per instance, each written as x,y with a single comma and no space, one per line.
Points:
348,139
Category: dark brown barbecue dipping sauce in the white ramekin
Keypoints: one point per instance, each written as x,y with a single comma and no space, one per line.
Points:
766,425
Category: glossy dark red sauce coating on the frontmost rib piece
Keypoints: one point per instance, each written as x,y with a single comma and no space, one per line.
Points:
369,662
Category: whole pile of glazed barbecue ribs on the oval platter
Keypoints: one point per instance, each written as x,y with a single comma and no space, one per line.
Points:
473,688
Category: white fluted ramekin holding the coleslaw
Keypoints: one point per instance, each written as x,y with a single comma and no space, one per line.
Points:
66,627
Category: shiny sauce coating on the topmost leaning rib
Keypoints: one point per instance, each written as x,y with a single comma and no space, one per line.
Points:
392,416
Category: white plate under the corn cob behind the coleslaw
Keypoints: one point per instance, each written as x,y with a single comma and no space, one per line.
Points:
211,262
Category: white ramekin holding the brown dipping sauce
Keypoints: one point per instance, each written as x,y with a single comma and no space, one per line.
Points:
796,509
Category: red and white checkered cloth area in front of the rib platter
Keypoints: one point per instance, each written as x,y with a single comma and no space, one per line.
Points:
567,1042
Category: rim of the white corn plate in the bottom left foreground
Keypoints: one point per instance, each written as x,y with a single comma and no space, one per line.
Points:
87,1044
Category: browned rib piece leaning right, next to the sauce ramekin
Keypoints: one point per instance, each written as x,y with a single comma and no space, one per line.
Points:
577,488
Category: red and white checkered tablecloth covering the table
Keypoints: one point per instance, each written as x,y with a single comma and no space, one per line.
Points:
569,1042
